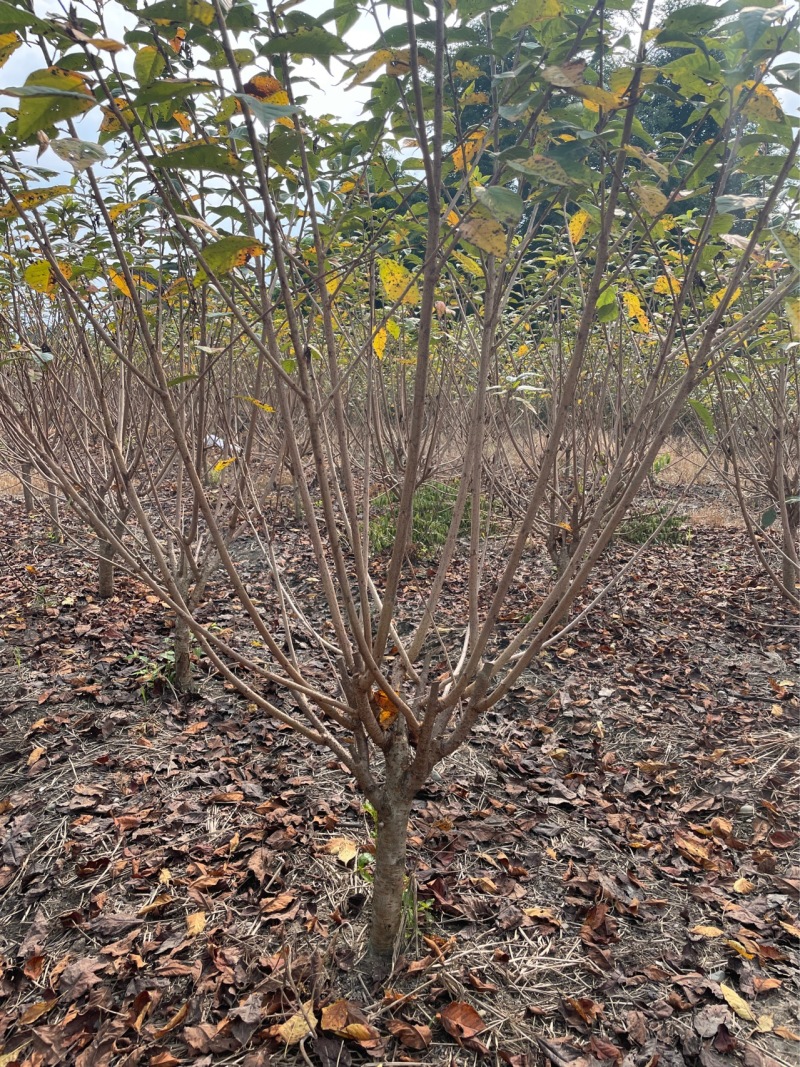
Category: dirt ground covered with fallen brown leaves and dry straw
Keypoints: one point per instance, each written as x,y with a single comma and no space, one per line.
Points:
607,874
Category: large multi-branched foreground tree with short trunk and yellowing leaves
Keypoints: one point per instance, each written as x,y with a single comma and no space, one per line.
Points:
285,270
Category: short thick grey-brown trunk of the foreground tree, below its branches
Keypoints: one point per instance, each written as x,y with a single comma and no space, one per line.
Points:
388,893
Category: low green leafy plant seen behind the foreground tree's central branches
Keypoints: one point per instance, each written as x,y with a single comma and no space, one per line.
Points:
434,506
